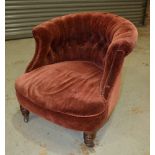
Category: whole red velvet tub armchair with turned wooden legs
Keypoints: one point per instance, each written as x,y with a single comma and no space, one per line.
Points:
74,77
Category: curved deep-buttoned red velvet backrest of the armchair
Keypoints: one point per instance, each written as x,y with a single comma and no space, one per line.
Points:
82,36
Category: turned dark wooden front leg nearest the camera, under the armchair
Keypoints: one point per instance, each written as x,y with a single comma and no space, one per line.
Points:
89,138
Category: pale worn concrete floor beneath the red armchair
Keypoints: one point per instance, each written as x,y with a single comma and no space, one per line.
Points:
126,132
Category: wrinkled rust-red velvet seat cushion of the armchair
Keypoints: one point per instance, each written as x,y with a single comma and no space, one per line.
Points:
71,87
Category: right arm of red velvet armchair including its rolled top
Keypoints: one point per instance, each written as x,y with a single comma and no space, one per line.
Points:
123,39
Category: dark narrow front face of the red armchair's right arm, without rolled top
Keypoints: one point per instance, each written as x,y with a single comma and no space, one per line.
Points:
113,63
